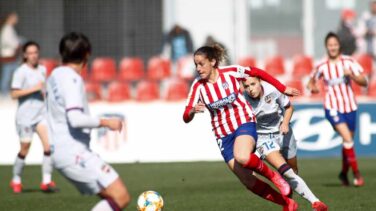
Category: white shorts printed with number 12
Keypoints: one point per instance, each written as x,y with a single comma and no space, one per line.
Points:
267,143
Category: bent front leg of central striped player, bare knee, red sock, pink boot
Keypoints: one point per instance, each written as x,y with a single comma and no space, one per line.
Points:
243,153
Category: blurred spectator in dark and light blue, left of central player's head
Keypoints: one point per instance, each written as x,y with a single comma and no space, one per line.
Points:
178,42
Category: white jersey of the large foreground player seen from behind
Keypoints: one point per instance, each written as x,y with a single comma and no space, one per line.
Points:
65,92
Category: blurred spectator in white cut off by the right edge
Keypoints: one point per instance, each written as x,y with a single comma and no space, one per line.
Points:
367,29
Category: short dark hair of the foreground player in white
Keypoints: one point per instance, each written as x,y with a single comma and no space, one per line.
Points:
74,48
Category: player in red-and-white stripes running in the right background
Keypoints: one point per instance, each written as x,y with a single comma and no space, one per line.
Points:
338,71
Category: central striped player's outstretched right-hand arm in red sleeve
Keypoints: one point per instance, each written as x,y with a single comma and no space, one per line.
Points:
255,72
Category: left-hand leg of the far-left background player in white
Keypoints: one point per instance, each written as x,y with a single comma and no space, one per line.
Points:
25,134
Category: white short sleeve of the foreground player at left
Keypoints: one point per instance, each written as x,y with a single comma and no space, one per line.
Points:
72,95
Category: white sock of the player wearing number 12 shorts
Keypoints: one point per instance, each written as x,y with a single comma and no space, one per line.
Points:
299,186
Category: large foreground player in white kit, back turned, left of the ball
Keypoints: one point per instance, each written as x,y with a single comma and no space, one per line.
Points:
70,123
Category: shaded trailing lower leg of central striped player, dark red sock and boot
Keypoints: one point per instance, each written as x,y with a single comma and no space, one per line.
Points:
259,187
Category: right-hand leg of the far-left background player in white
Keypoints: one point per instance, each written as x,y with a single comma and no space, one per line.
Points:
47,184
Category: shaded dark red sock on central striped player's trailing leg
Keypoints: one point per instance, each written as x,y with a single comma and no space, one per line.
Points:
265,191
